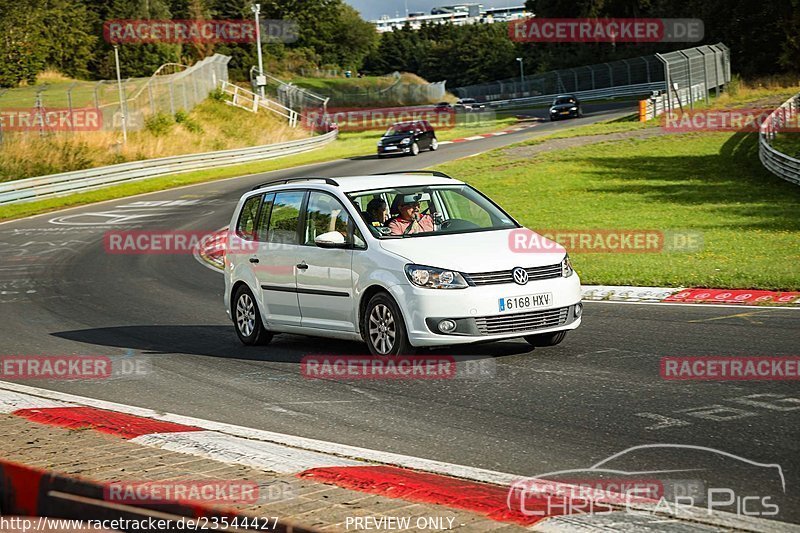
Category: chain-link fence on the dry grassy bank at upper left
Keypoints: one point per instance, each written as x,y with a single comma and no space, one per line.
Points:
98,106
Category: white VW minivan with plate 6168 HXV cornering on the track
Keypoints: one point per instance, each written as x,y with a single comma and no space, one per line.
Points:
398,261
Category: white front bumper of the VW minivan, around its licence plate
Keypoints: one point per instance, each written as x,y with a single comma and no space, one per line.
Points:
475,311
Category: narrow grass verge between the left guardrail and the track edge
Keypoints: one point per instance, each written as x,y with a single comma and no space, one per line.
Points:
347,145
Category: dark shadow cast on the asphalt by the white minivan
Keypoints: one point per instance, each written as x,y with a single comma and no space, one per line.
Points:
221,341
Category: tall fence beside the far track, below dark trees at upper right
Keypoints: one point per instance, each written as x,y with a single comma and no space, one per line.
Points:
709,65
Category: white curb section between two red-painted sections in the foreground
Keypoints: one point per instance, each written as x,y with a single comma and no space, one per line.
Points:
258,454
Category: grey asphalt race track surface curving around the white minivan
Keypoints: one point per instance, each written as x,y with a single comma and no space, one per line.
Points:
567,407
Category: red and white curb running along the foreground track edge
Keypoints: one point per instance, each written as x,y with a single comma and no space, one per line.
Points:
480,491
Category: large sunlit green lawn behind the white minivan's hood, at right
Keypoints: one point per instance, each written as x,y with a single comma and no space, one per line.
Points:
712,183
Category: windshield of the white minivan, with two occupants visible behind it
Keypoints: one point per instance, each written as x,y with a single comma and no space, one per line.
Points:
427,210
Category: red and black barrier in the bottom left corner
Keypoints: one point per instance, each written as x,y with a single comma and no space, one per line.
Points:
29,491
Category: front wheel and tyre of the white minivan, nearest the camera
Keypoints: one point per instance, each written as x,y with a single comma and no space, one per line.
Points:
383,327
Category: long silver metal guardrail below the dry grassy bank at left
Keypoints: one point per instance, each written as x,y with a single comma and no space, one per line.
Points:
30,189
